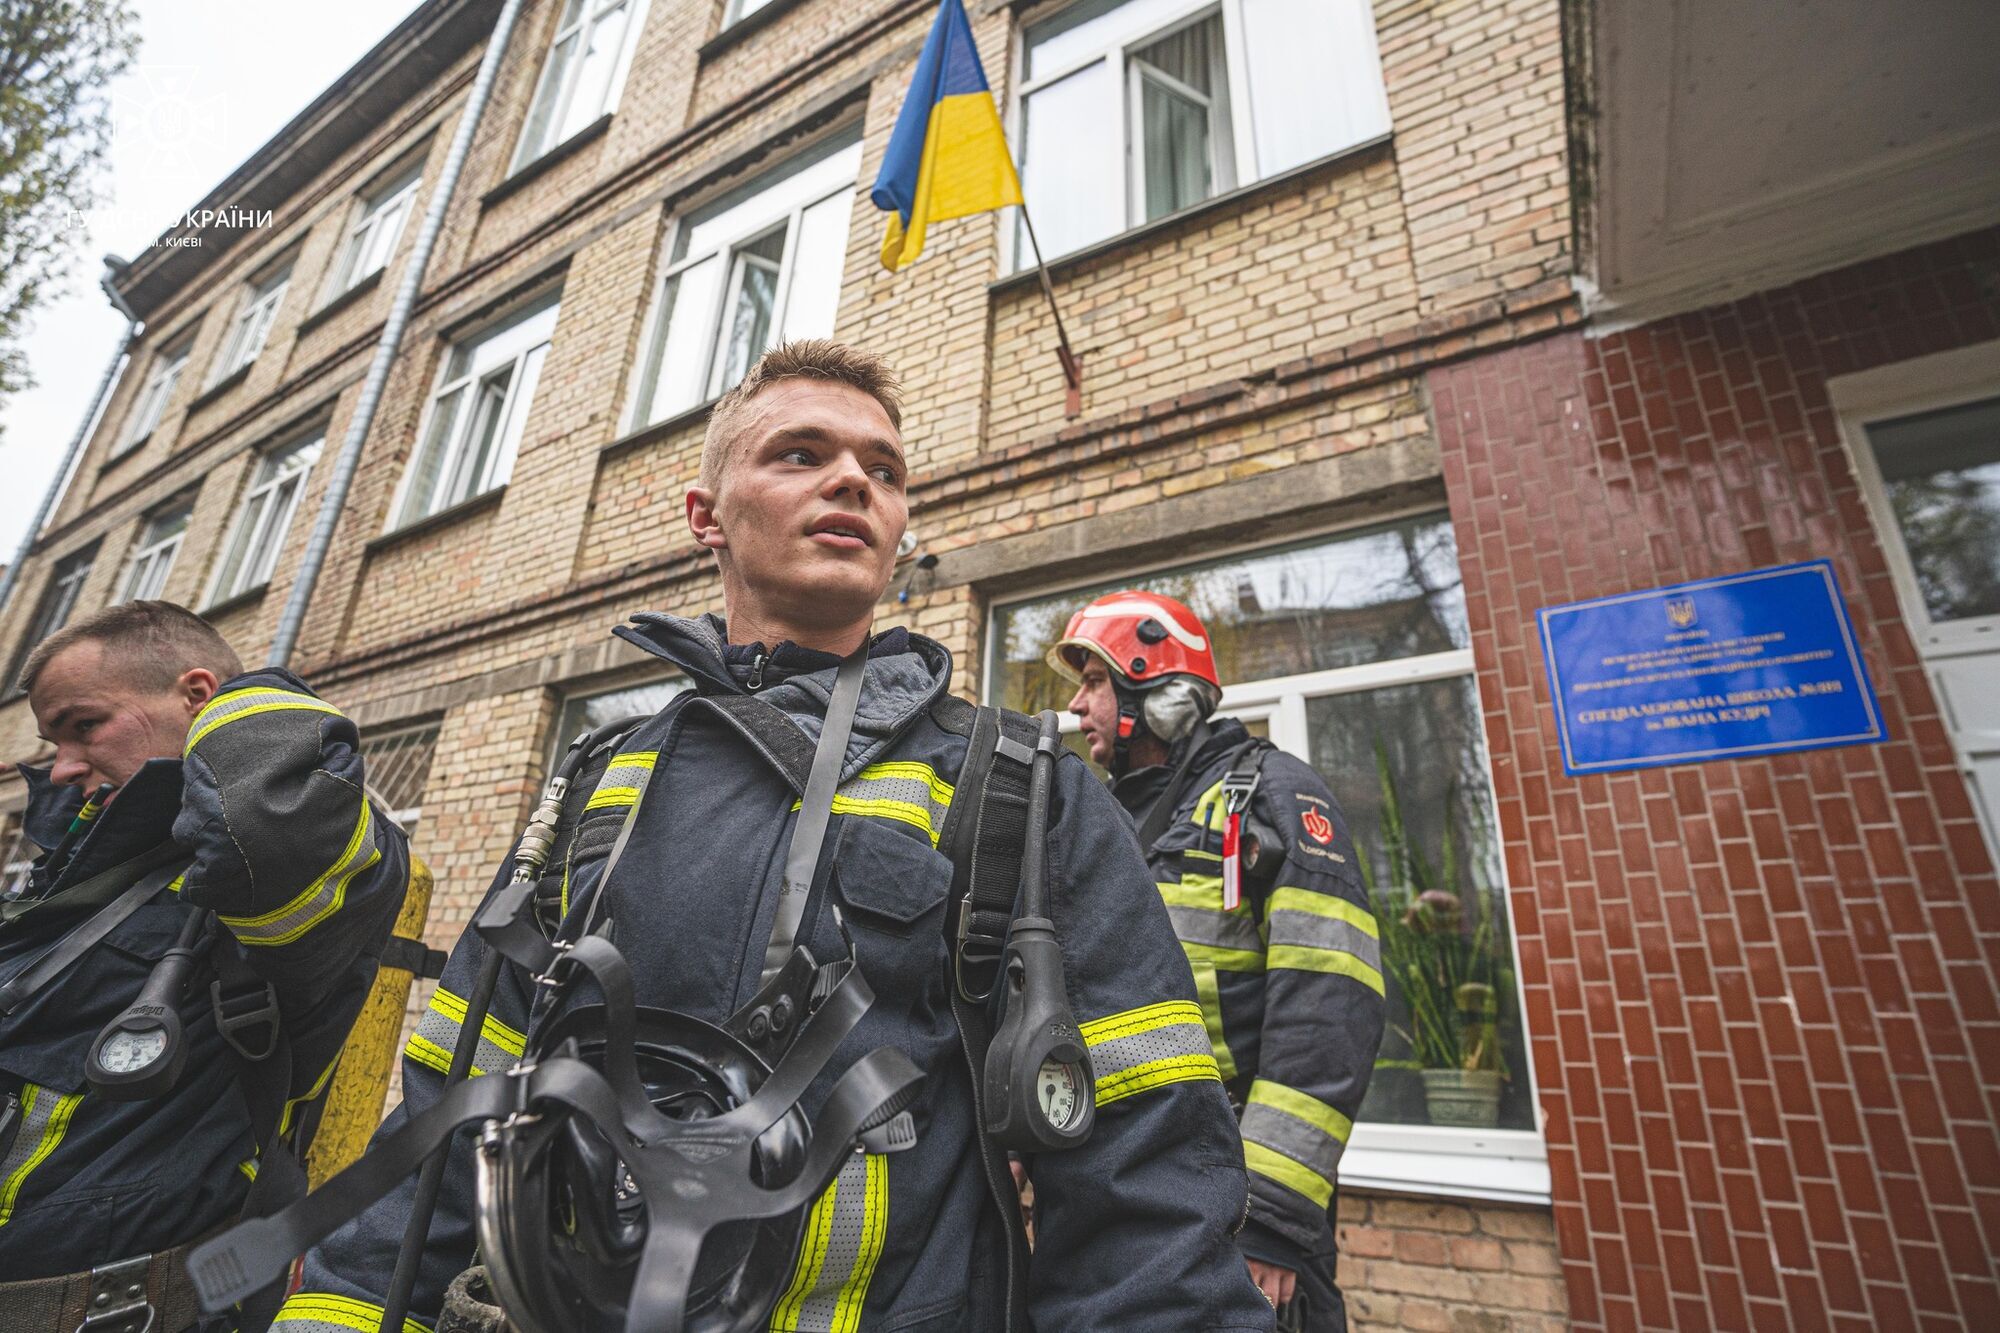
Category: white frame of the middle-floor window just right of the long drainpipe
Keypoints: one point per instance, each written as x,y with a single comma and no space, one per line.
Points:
517,343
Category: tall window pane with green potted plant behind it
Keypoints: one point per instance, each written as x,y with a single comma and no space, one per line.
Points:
1409,770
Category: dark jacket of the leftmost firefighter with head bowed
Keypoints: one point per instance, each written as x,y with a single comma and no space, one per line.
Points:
303,874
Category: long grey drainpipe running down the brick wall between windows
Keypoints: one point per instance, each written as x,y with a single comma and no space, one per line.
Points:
399,315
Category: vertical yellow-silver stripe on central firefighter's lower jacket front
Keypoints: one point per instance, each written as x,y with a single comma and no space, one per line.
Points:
837,1258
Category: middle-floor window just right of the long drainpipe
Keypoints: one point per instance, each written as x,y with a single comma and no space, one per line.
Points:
477,413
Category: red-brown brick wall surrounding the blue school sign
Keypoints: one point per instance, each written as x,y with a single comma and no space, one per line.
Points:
1763,992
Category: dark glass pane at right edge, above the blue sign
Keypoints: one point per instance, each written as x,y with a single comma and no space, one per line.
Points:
1943,477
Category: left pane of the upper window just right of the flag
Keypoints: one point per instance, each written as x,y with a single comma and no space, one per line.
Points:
1073,163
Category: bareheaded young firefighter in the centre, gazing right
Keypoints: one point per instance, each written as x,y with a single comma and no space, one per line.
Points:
803,499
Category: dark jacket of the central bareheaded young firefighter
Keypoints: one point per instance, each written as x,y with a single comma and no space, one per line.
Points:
1135,1228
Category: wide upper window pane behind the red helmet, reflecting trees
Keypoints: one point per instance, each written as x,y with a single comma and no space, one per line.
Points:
1355,599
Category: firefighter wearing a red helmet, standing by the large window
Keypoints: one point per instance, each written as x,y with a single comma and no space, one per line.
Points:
1271,914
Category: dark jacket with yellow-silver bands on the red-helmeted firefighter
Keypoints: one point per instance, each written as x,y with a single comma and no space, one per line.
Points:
1291,980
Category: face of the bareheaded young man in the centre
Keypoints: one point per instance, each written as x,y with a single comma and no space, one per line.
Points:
809,509
